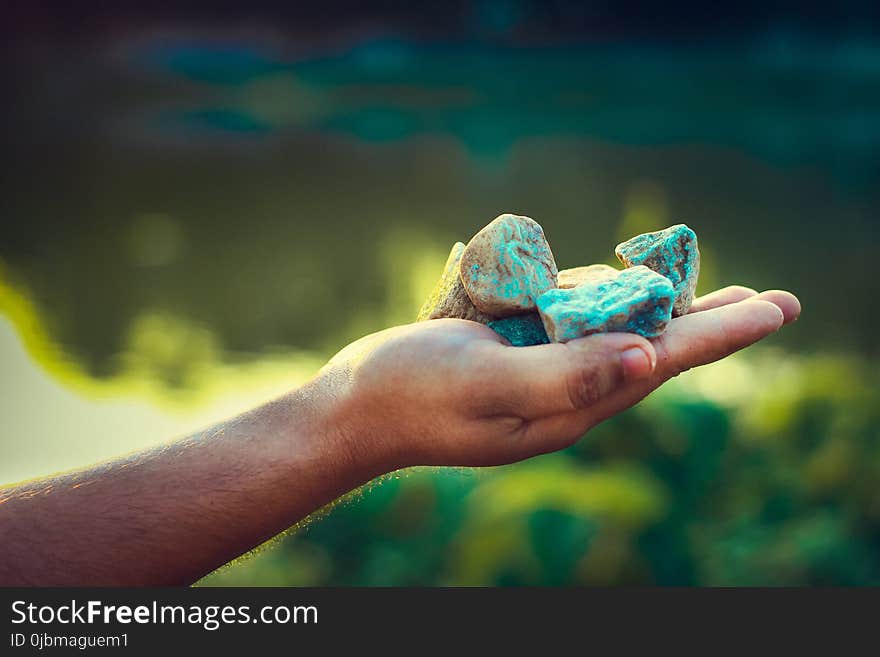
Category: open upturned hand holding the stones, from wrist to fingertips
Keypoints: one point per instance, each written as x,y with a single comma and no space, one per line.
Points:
452,392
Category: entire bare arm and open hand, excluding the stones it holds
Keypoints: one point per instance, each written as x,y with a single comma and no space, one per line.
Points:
444,392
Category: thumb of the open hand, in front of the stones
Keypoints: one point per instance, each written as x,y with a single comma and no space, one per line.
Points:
558,378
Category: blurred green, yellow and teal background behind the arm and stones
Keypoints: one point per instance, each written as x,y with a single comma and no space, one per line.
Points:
199,210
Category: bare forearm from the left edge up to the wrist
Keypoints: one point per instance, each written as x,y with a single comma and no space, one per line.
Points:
170,515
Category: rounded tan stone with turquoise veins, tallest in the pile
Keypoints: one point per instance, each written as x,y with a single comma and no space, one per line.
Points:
507,266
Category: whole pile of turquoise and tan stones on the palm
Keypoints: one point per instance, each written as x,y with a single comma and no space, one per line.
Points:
506,277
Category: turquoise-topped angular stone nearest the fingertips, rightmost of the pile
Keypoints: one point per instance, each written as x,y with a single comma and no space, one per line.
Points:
673,253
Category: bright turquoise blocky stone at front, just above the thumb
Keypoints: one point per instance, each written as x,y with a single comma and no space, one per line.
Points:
635,300
